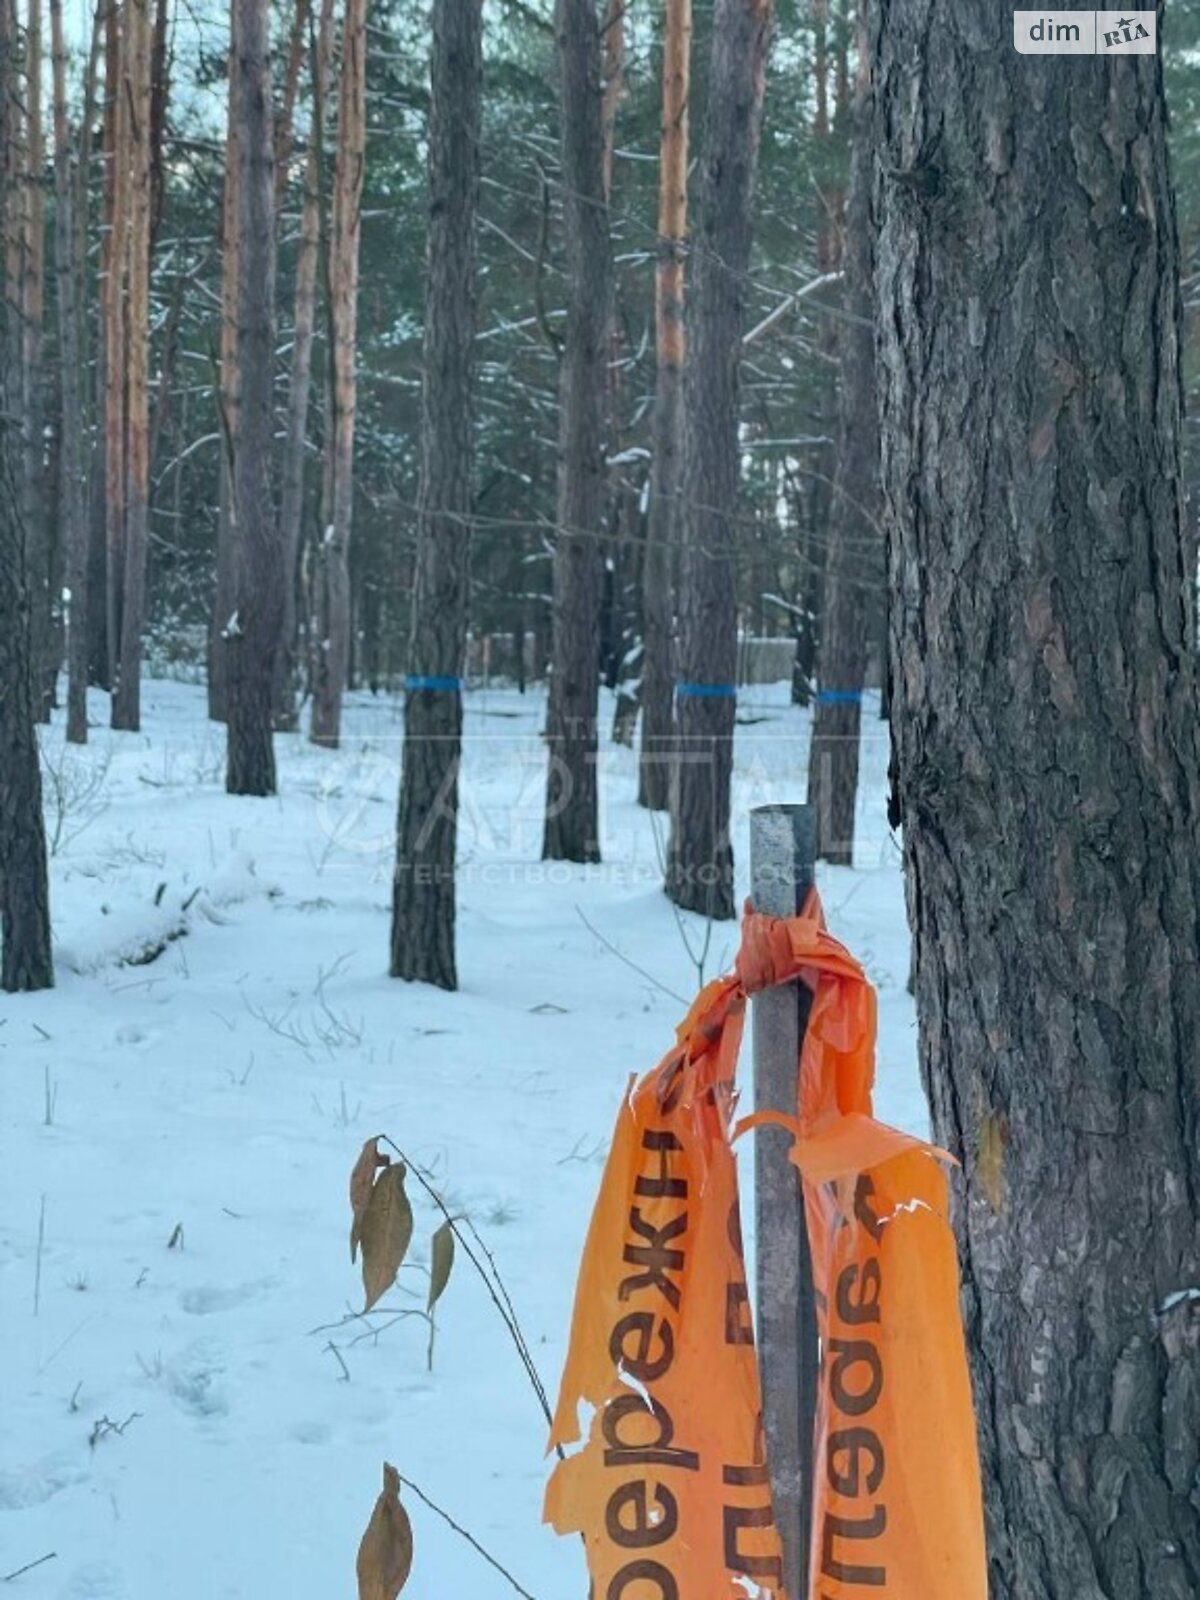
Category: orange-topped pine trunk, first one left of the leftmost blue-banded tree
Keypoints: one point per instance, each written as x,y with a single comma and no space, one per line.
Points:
332,655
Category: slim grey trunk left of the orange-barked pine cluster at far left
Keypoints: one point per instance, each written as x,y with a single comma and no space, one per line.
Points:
71,434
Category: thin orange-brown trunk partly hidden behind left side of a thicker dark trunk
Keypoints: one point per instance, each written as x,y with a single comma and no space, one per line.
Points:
228,404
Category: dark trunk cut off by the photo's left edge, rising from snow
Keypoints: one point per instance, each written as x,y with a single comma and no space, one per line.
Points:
25,900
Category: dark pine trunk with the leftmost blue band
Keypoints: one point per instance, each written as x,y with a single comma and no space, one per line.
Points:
423,902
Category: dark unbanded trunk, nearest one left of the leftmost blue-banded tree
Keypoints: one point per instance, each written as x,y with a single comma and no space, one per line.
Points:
252,638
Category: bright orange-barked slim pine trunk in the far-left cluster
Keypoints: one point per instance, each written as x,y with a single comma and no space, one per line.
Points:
132,578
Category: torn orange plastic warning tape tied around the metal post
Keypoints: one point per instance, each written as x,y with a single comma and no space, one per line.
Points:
671,1492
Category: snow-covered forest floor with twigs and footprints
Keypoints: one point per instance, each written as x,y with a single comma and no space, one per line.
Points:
186,1407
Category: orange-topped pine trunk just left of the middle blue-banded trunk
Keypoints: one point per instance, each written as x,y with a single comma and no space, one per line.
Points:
658,575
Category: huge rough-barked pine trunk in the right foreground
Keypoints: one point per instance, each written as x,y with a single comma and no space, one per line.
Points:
1046,735
